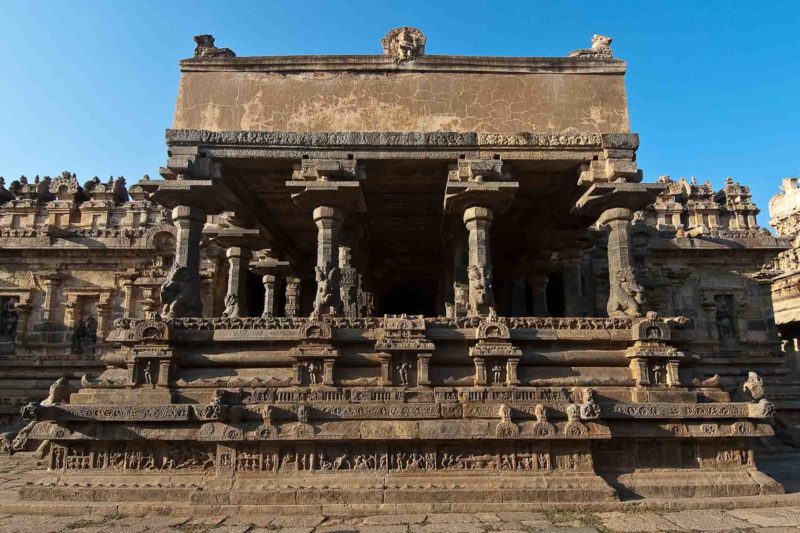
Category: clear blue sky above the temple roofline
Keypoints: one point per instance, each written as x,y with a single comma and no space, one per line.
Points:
89,86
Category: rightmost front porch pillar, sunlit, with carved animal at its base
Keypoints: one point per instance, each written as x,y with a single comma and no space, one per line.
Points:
625,294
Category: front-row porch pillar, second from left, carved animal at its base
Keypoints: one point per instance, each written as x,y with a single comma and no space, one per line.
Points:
329,223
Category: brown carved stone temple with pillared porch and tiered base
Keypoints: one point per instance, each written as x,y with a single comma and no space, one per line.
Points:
392,279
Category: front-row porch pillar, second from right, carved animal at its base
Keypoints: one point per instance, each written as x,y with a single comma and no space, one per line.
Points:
478,220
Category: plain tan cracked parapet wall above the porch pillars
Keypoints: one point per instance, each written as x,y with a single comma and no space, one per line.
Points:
391,99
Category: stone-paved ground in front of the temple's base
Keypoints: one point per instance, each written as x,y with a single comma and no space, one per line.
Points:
759,518
